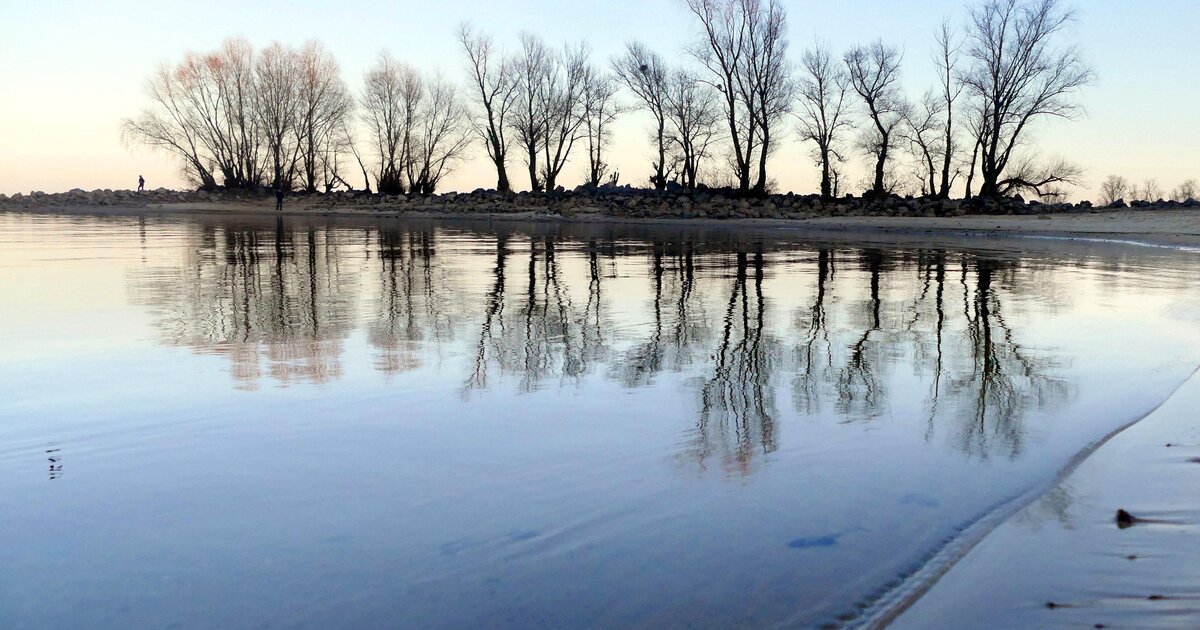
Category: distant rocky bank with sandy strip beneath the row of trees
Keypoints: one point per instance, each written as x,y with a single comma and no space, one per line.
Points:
1171,224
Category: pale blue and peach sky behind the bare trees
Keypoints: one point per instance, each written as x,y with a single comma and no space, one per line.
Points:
71,70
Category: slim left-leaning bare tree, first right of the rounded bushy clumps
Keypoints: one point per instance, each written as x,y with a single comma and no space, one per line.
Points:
493,77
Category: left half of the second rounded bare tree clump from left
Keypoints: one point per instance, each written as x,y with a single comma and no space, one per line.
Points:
392,94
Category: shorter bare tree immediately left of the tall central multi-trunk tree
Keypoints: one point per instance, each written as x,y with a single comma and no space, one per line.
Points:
695,121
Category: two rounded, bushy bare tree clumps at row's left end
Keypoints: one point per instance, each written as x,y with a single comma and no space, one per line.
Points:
284,118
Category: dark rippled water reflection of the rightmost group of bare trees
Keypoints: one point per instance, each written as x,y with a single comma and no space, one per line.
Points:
980,377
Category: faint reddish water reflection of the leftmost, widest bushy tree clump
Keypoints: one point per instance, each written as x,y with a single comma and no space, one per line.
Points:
275,302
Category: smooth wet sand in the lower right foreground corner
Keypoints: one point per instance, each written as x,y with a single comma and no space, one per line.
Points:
1066,562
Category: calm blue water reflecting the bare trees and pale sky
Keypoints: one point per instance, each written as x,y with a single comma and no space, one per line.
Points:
215,423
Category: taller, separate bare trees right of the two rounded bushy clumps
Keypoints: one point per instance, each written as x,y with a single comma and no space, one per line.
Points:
998,77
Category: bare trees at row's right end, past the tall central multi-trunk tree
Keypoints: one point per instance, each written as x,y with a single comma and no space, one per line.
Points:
997,79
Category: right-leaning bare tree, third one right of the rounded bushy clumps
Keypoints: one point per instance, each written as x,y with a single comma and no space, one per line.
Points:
565,107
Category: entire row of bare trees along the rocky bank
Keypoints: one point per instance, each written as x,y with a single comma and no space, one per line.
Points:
284,117
